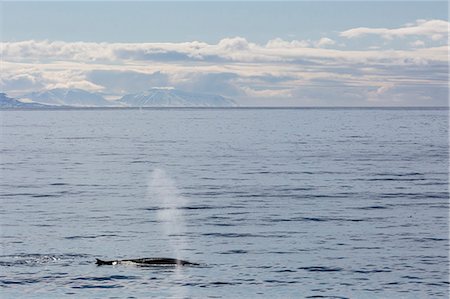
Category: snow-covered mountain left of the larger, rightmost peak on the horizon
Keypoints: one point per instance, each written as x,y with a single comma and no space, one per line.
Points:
68,97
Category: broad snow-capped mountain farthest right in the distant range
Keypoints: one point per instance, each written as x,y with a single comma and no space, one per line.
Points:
166,97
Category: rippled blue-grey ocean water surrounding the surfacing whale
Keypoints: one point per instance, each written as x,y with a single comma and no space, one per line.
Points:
273,203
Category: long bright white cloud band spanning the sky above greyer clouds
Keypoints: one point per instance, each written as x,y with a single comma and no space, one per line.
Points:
227,50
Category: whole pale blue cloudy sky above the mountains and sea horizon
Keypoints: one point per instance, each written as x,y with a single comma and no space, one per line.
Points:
296,53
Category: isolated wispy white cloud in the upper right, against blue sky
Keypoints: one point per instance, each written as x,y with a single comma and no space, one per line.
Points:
434,29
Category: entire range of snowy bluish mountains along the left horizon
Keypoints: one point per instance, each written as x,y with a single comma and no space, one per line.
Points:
154,97
